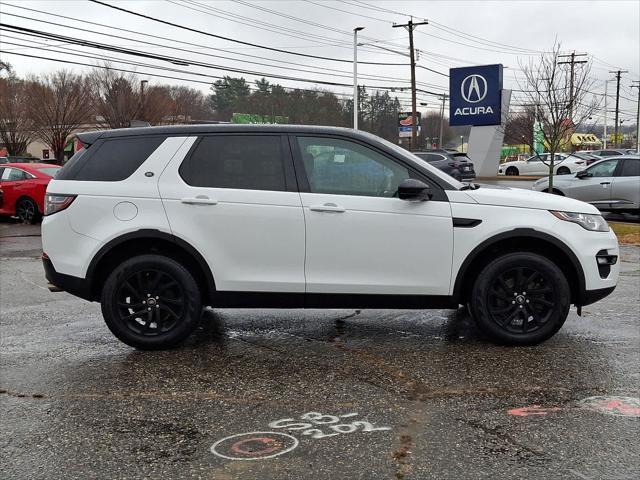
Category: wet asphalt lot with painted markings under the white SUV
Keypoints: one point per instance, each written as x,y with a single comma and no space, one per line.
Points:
409,394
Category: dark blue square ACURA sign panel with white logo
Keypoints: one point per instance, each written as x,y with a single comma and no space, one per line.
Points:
476,95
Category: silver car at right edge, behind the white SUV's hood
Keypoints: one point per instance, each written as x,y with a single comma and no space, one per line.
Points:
611,184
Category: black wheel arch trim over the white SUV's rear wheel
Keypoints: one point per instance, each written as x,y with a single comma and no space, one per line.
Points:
149,241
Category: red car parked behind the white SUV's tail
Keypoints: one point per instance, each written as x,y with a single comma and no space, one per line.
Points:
23,186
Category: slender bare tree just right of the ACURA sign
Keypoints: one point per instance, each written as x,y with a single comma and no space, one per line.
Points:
562,99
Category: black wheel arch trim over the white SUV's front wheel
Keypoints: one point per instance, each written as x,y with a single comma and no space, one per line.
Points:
522,240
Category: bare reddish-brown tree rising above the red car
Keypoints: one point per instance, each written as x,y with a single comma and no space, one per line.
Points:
59,104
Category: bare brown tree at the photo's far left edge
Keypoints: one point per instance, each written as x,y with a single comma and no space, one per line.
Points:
16,126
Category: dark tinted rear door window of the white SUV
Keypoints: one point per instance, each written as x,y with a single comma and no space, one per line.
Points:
252,162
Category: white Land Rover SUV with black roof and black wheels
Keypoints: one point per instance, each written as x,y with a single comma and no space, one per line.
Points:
157,222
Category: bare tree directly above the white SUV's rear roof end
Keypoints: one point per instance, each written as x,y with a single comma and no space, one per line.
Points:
116,97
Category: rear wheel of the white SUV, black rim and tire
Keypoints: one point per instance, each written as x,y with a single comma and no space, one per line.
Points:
151,302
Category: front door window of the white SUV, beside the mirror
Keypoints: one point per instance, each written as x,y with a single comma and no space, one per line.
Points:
342,167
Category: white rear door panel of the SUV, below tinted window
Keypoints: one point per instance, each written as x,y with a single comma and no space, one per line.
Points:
253,240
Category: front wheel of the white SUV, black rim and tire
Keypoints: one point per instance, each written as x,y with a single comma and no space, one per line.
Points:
530,317
